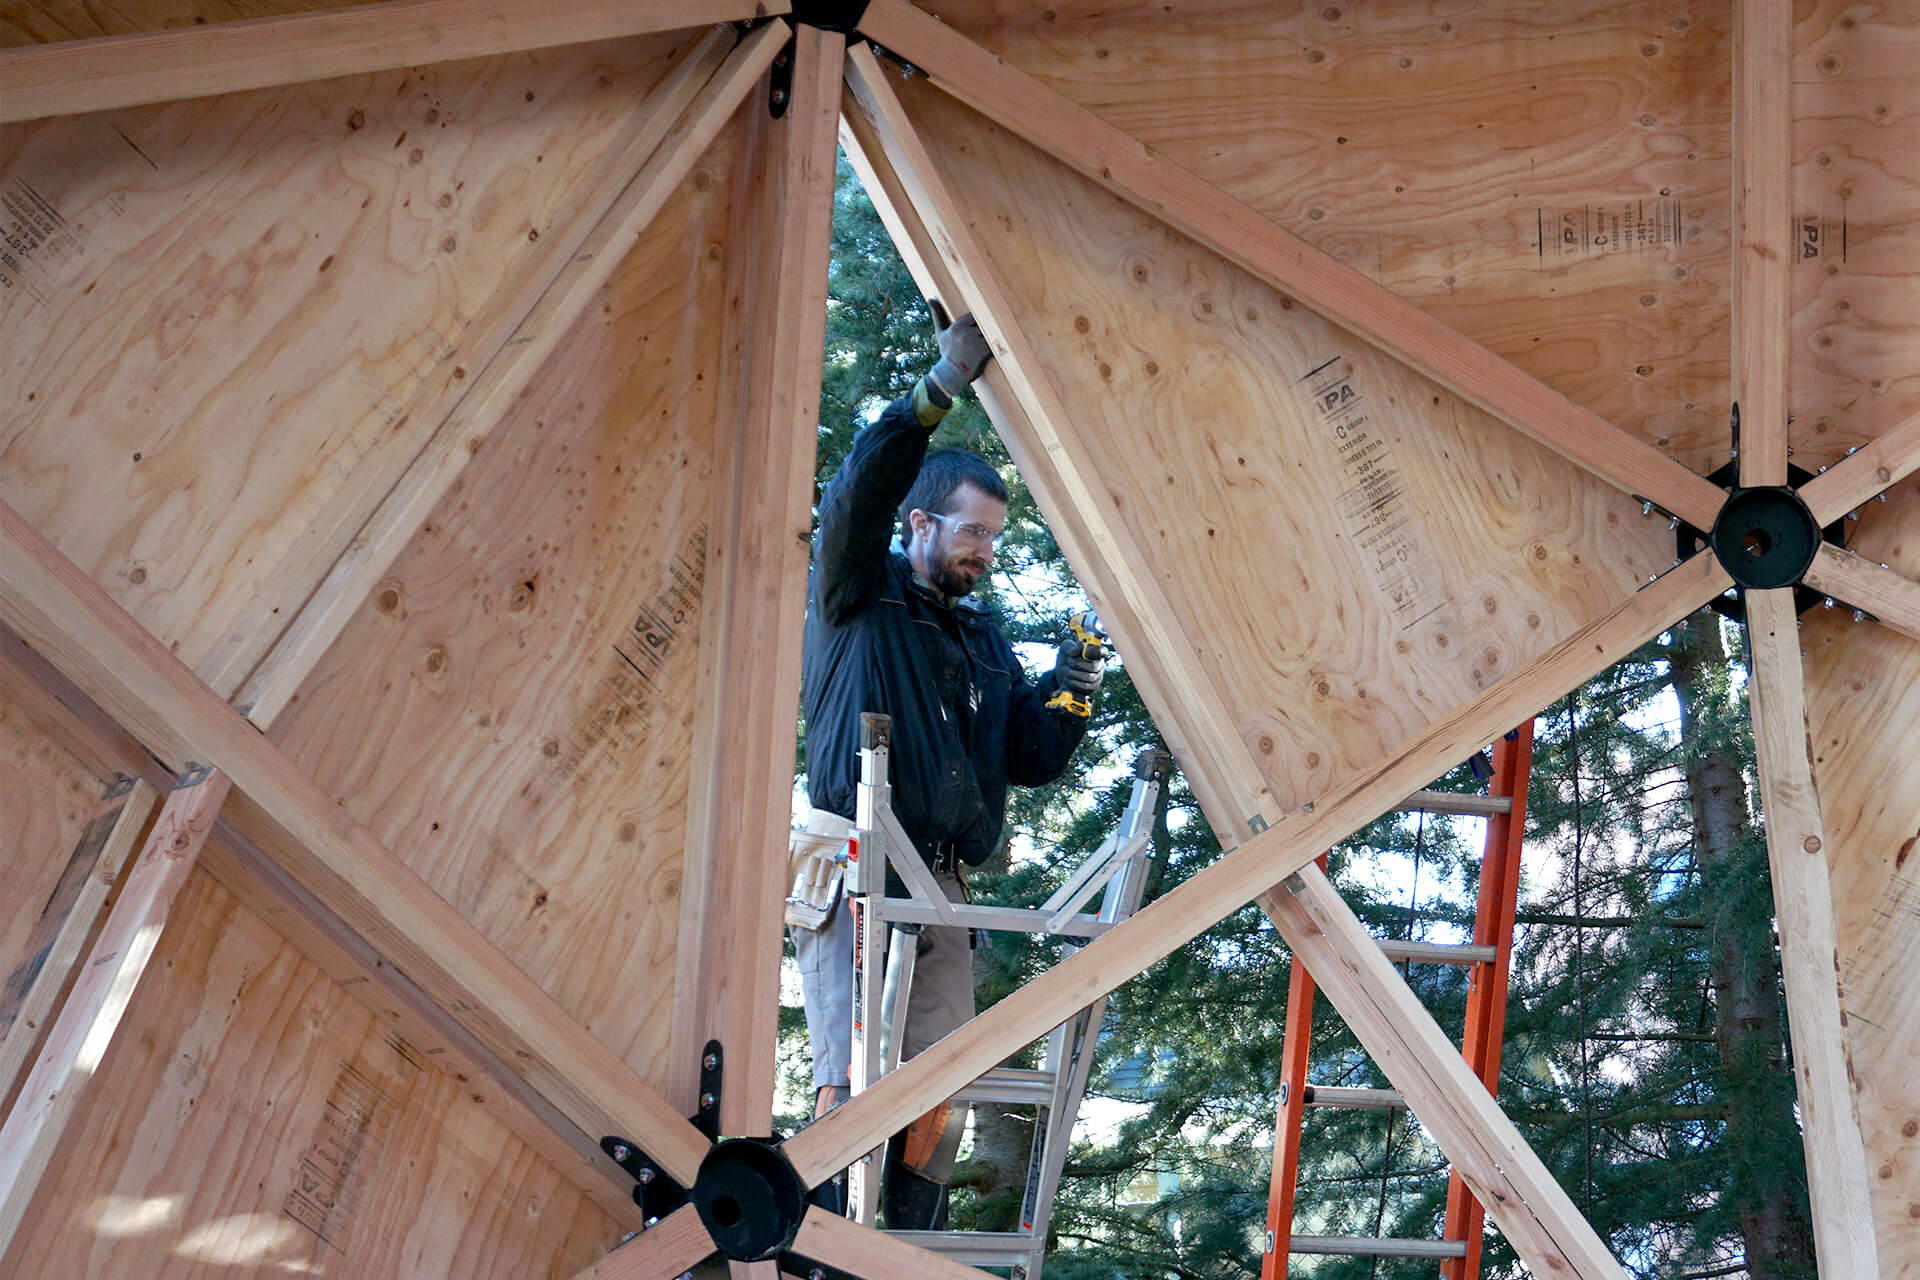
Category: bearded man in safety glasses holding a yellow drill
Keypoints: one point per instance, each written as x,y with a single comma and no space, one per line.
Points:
896,632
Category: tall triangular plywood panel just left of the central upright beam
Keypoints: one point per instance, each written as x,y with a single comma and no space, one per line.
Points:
512,709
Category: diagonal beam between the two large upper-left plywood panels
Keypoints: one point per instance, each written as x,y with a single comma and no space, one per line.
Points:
694,105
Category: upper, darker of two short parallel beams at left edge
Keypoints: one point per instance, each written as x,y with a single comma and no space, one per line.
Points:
64,926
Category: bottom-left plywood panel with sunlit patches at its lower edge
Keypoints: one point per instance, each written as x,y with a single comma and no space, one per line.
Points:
254,1122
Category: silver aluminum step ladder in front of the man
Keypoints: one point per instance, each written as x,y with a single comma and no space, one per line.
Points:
1116,872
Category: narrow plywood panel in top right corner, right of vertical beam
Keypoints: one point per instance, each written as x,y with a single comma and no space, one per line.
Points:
1858,225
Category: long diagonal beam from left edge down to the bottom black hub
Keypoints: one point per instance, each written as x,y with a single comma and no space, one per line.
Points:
147,688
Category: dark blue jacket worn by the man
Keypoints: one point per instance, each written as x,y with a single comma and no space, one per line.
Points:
967,723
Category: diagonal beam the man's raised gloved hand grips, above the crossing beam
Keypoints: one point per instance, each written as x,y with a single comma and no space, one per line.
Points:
1101,542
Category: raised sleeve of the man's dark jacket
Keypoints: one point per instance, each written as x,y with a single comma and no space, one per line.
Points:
861,504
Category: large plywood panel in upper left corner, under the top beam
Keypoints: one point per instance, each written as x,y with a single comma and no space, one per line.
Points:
233,321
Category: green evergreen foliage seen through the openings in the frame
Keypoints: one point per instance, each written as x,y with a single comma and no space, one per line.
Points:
1664,1110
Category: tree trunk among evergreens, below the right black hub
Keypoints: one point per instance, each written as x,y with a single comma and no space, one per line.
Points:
1769,1189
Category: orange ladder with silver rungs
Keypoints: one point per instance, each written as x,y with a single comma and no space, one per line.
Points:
1489,960
